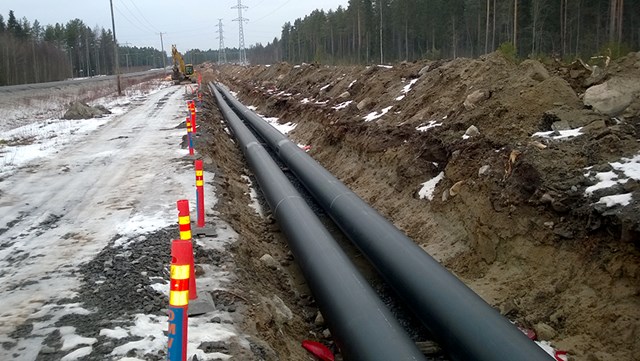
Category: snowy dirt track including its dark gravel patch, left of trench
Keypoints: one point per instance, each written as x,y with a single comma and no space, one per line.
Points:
79,198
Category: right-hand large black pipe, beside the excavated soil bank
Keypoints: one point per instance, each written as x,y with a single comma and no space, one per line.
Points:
465,325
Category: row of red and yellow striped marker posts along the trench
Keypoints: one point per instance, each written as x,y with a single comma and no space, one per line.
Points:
182,288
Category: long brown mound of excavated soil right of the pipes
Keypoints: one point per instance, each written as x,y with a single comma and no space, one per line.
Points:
512,215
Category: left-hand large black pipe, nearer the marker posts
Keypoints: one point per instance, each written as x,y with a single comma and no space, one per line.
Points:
359,321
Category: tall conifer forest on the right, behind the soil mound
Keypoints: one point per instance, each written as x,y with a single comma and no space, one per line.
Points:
369,31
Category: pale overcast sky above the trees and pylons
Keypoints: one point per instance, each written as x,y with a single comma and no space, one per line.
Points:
188,24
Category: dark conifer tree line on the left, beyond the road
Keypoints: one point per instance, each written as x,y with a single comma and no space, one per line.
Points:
32,53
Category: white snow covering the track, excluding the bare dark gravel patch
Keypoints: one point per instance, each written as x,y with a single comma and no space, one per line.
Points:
68,187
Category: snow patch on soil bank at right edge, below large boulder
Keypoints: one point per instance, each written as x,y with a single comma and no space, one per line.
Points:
622,171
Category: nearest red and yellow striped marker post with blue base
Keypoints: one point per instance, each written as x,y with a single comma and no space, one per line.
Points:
181,252
